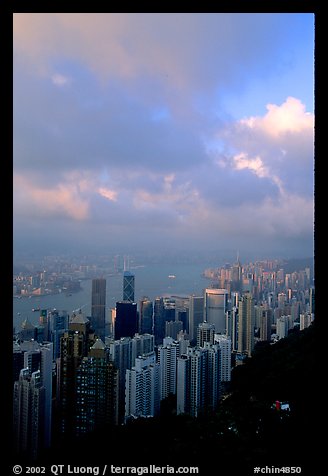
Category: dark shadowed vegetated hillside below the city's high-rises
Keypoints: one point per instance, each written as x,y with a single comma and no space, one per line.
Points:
245,431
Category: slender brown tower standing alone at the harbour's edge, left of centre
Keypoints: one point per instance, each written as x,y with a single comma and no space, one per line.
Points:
98,307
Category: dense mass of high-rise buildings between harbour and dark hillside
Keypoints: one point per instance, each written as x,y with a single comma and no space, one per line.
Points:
73,374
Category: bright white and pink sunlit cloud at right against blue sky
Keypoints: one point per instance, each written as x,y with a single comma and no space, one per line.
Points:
278,146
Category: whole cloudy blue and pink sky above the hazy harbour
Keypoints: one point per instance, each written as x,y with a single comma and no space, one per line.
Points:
163,132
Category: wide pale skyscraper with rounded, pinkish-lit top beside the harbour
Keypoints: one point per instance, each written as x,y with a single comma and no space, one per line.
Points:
215,307
